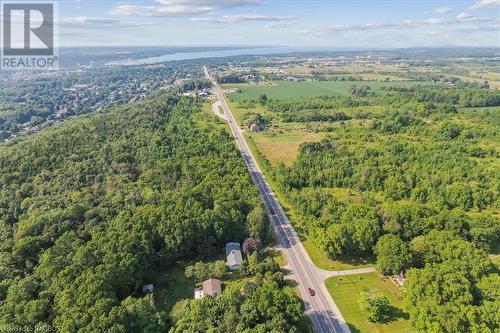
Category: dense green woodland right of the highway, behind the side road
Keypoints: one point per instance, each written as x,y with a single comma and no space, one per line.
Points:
410,176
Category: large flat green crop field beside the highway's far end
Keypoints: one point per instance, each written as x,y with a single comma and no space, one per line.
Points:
289,89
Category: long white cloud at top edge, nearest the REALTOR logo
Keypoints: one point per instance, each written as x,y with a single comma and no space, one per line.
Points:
179,7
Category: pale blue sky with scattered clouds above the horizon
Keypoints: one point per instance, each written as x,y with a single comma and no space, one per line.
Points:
313,23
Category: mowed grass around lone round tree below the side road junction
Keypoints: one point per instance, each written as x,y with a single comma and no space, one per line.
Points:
346,291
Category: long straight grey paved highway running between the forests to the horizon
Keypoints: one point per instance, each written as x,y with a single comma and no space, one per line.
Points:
324,314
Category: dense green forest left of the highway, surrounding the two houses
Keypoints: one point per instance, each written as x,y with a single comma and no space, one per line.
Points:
90,209
